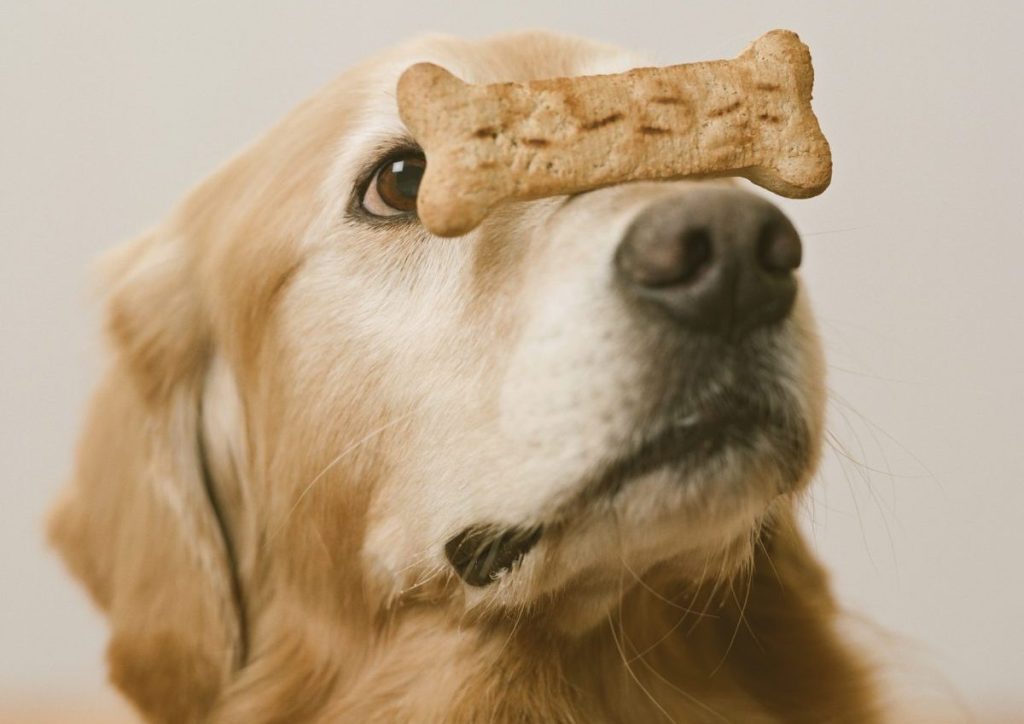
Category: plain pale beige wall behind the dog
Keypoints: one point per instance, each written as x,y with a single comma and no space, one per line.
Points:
110,111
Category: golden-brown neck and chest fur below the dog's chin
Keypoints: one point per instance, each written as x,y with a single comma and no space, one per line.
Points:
762,649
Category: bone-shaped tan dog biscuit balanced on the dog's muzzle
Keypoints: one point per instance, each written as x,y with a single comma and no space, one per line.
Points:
516,142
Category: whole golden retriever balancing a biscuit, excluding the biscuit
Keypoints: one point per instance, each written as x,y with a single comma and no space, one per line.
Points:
339,470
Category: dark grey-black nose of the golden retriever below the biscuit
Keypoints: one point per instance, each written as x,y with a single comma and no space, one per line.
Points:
718,261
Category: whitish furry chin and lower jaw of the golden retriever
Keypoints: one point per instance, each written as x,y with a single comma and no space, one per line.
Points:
697,530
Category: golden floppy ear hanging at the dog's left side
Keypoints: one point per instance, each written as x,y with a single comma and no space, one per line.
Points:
138,524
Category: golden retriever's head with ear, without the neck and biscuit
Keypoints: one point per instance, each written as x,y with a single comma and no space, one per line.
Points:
314,400
